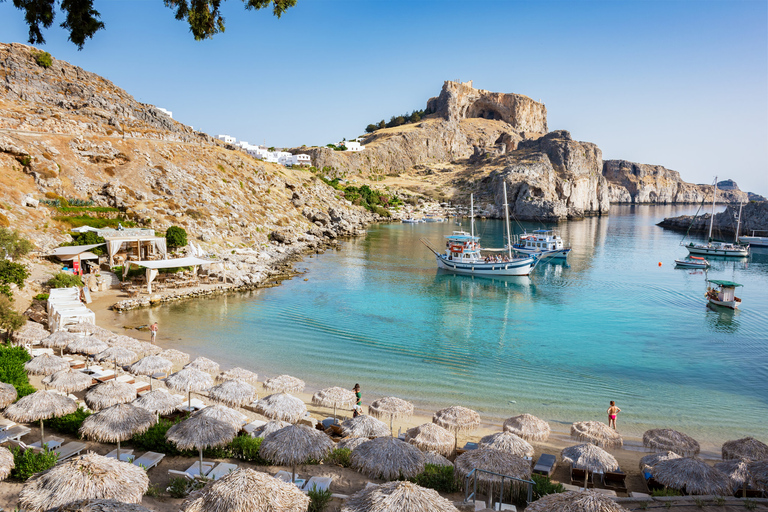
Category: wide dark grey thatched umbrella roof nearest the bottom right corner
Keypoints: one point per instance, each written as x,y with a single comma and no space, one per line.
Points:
691,475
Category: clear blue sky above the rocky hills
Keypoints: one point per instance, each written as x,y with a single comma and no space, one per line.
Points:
683,84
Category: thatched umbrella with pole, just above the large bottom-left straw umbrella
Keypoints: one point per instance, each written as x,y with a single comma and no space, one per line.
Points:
117,423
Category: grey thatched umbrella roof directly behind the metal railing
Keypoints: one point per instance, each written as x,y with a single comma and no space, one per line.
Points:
492,460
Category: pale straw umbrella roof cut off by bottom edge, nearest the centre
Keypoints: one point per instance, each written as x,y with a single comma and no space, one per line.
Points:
397,497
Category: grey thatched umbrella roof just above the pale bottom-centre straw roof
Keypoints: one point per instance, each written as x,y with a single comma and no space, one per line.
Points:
387,458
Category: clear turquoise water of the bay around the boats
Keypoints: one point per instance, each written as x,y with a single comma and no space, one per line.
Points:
608,325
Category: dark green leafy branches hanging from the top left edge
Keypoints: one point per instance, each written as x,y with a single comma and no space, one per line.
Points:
82,20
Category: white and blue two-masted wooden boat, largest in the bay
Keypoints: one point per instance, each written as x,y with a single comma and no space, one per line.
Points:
463,254
